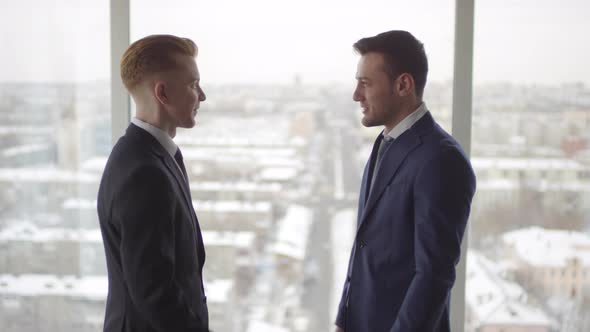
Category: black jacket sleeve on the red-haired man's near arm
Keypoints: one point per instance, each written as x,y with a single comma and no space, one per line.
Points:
145,209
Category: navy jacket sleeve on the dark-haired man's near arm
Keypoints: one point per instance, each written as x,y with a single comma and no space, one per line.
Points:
443,191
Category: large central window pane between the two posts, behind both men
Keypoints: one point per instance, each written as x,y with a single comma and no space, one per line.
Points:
276,157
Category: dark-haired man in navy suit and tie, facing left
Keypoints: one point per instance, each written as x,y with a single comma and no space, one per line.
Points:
414,202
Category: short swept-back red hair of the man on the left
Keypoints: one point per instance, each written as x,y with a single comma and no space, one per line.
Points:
153,54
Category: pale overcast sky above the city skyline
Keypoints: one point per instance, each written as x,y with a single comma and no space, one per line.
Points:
265,41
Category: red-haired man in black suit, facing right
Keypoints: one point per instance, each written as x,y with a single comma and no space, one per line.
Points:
152,239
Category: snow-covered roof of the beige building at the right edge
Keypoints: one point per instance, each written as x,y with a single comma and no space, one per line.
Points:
548,247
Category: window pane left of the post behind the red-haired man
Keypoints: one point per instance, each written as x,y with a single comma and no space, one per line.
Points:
54,139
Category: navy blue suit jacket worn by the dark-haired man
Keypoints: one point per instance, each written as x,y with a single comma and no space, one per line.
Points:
408,241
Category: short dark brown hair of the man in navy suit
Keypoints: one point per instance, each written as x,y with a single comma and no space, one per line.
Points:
403,54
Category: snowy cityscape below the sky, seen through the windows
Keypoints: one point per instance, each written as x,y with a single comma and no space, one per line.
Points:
274,174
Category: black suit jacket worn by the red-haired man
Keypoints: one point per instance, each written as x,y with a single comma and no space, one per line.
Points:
153,244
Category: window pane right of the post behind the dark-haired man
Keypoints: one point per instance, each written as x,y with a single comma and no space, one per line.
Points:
529,249
